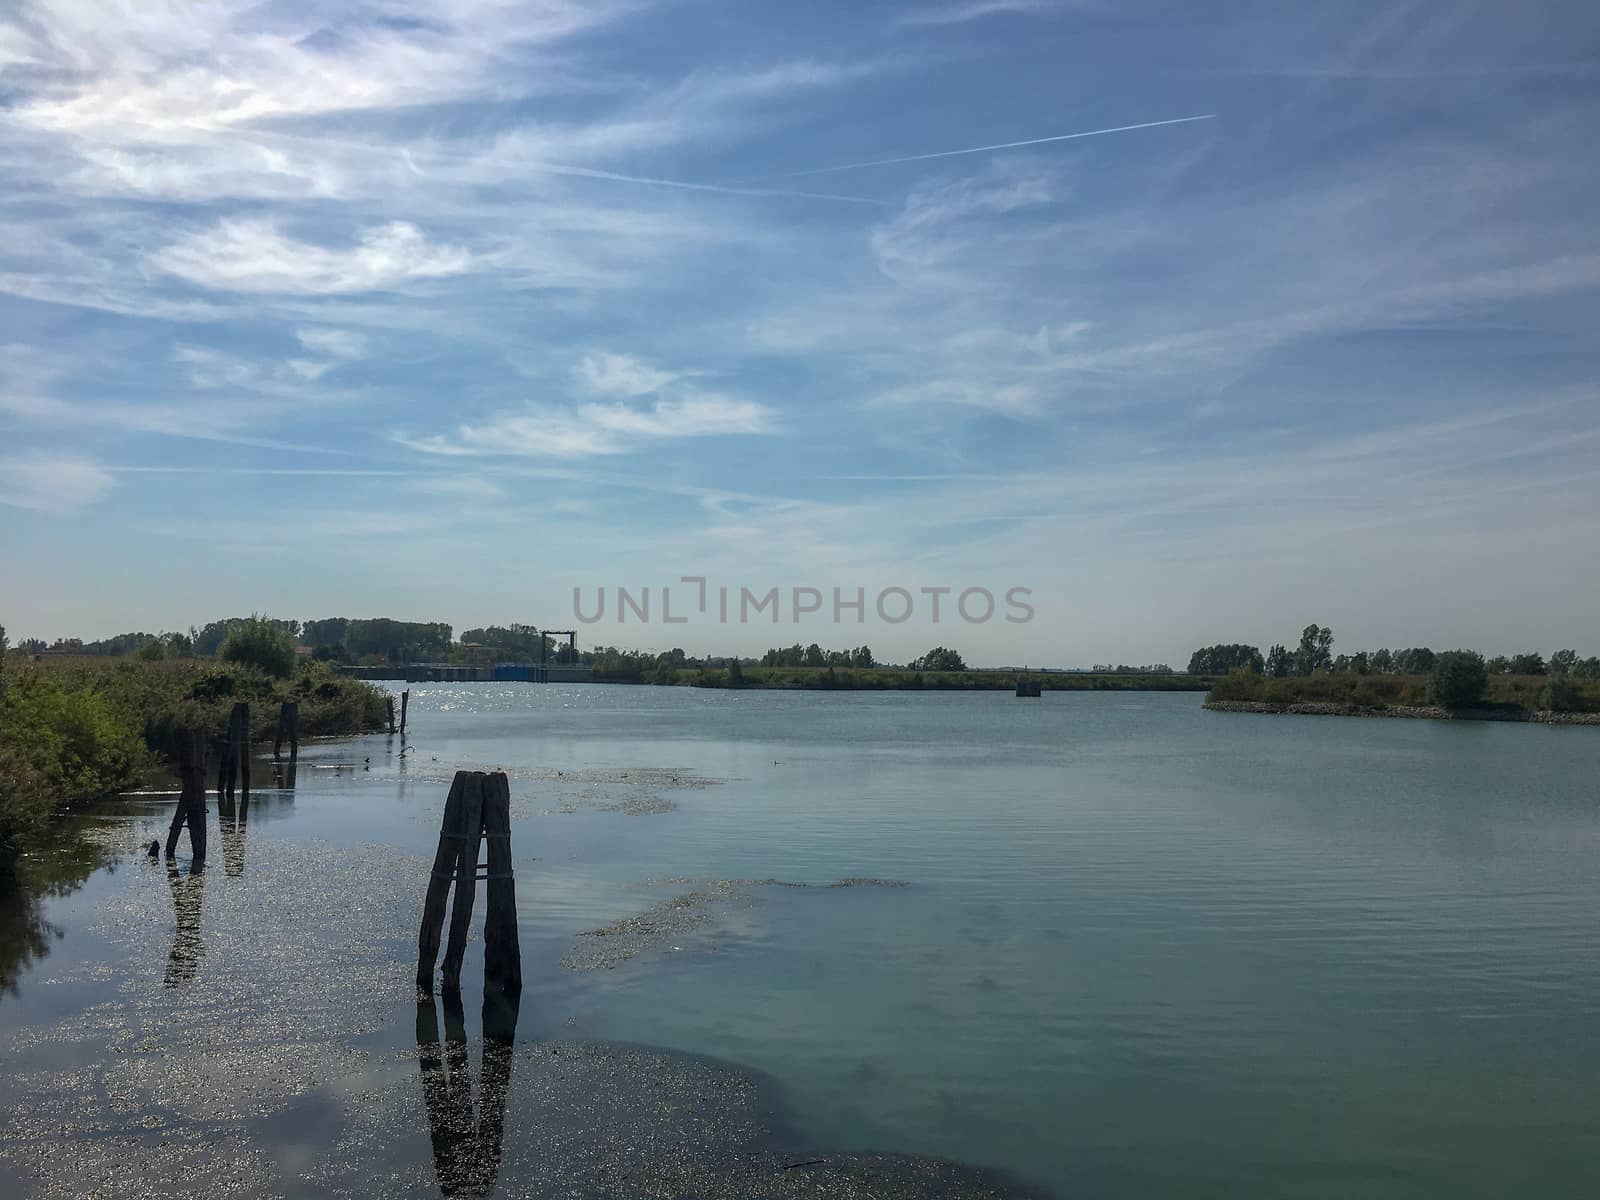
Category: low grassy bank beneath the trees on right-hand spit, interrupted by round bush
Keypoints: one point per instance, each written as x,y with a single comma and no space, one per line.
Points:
1505,694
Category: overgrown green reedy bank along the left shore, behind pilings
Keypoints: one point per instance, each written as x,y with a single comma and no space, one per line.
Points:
74,730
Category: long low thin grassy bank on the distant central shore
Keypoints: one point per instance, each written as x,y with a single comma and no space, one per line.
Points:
895,679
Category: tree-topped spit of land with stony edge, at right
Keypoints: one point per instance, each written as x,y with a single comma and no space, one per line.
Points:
1418,682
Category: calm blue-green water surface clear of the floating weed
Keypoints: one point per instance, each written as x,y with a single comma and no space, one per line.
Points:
1143,950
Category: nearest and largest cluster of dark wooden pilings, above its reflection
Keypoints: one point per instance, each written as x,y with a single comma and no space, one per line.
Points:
478,812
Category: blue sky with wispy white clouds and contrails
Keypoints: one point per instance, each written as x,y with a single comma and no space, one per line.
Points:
442,310
